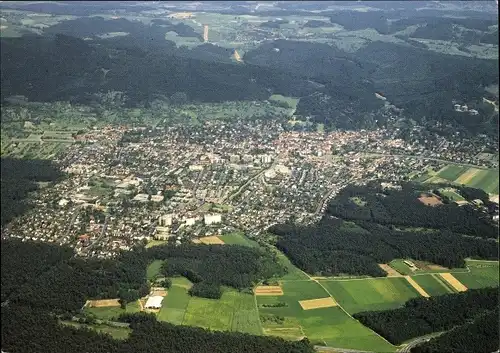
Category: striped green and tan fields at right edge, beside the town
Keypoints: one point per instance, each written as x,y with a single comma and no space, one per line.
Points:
485,179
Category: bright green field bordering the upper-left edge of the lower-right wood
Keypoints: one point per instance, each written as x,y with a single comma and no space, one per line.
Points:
371,294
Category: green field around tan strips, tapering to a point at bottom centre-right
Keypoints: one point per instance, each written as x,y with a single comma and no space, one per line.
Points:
325,326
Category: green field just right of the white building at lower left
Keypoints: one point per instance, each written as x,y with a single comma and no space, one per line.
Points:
235,311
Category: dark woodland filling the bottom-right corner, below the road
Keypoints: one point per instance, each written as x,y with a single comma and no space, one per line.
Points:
479,336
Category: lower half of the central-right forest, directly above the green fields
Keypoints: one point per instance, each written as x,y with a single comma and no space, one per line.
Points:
334,247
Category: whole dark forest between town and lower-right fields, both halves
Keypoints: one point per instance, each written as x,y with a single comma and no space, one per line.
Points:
391,224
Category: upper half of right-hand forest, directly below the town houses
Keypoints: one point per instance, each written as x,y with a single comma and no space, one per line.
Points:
402,207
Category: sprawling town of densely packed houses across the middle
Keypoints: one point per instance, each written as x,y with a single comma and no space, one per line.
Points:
130,186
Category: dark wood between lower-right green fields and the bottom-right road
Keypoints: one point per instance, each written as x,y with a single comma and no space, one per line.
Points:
421,316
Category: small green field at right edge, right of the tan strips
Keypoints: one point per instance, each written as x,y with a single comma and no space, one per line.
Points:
482,274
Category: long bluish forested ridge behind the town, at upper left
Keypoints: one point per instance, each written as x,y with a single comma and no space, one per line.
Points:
28,69
